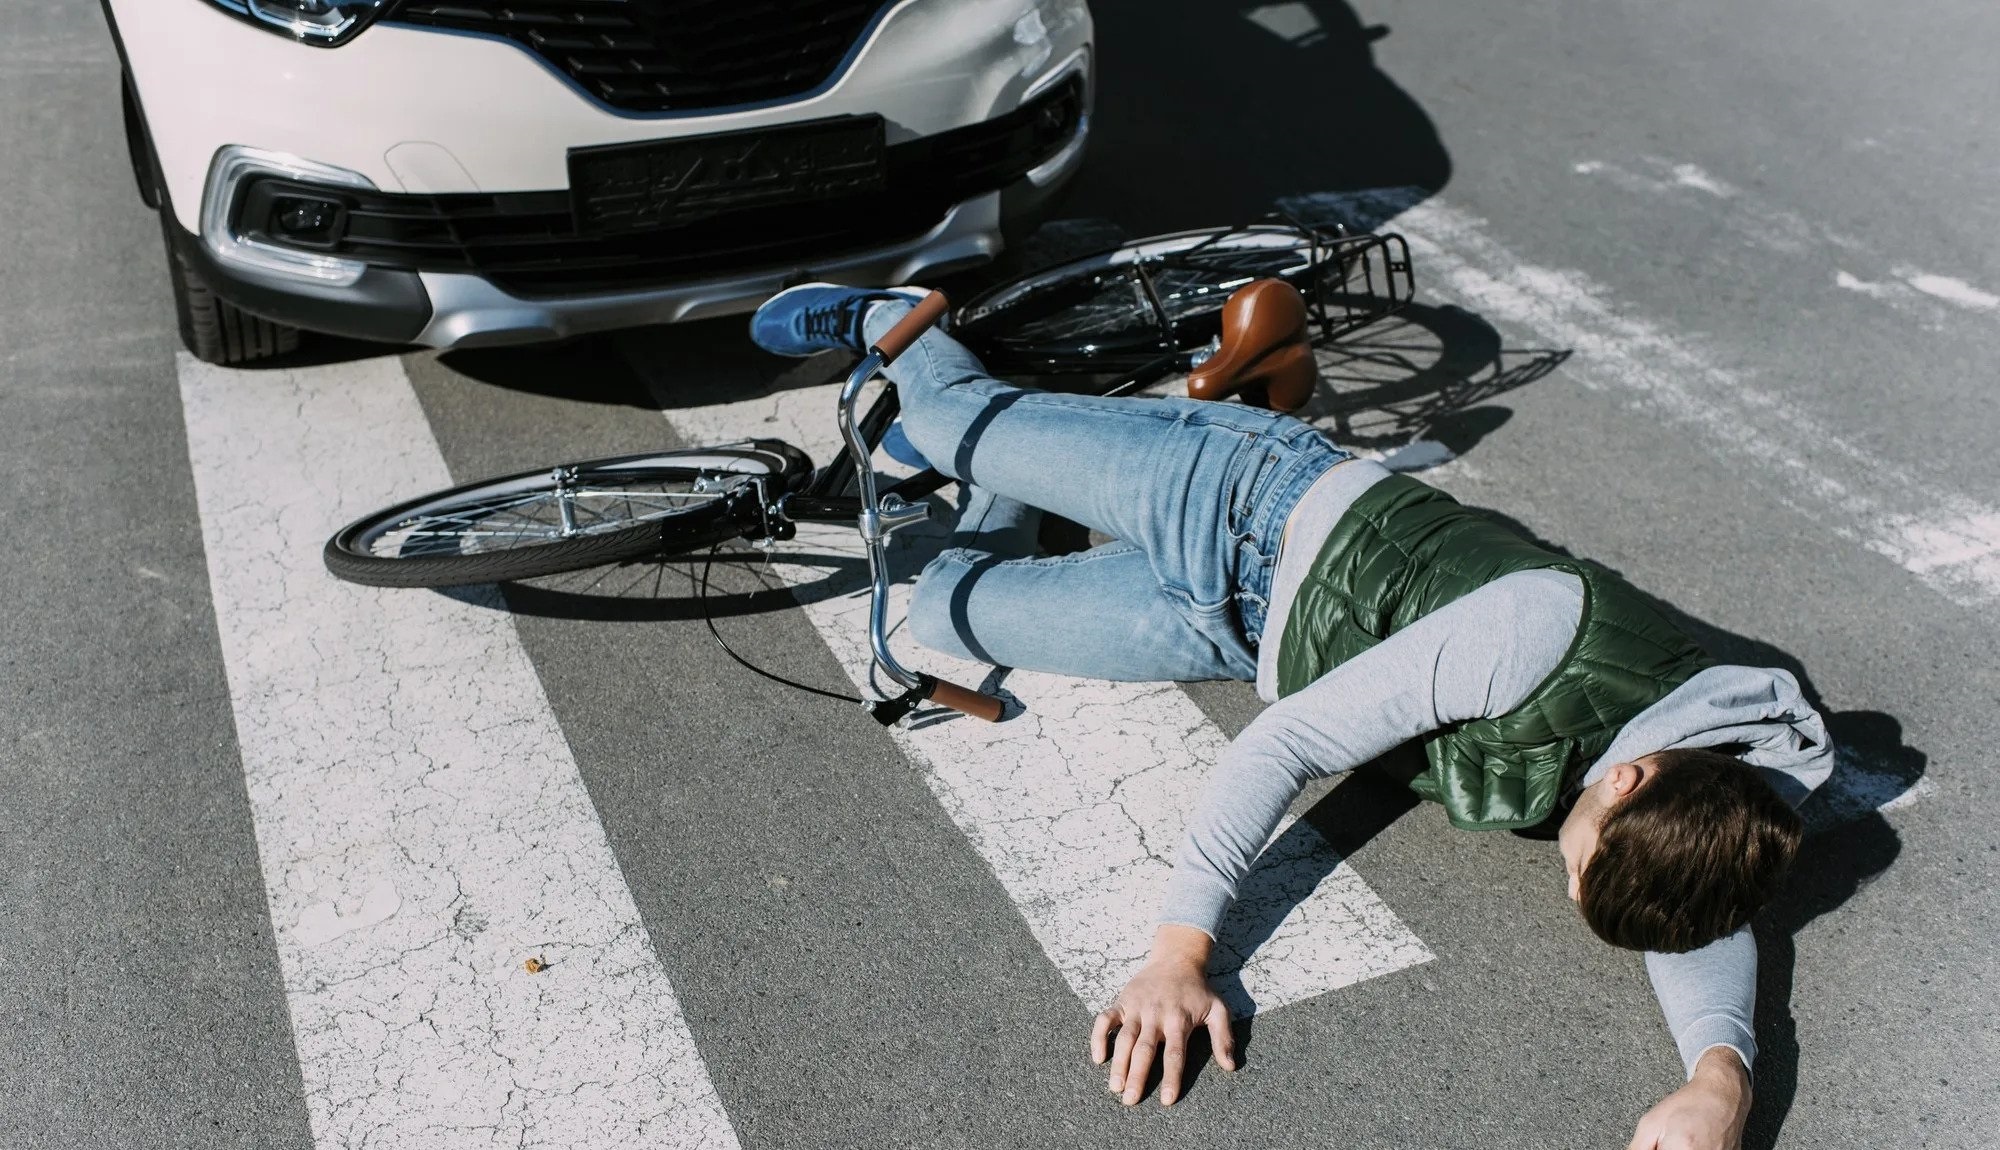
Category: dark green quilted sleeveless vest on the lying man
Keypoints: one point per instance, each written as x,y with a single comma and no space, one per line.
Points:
1407,549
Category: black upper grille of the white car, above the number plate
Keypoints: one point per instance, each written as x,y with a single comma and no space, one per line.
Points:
671,55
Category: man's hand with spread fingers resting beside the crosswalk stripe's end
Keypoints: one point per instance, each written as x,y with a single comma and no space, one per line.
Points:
1155,1015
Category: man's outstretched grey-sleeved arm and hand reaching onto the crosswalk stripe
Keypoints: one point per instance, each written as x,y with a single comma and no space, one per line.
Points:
1471,659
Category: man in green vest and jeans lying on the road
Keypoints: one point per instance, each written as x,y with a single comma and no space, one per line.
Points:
1371,611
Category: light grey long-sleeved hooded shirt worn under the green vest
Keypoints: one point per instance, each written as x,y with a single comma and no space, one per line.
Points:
1477,657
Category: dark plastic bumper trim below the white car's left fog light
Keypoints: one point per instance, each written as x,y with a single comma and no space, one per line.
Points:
383,307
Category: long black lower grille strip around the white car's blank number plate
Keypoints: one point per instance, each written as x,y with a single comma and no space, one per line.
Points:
529,243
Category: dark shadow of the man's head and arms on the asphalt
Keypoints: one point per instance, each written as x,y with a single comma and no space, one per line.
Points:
1847,847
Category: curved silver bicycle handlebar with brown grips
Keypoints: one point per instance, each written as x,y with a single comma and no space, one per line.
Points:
883,515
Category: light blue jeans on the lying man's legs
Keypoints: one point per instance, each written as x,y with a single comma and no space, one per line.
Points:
1193,493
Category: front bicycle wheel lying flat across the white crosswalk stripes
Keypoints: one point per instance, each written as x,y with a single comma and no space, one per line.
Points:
619,509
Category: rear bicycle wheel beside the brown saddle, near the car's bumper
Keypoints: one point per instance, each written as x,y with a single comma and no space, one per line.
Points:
1129,307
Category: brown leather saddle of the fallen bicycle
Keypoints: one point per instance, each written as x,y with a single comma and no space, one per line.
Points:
1265,355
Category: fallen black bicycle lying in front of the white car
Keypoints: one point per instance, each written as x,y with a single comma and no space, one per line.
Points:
1119,321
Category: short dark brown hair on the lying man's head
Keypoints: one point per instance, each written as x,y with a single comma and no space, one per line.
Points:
1689,857
